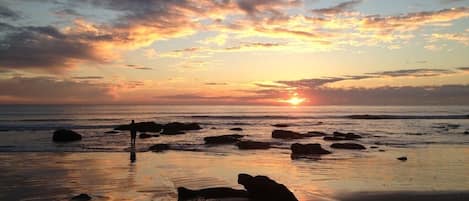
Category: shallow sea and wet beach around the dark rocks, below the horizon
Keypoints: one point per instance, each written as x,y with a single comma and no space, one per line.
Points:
100,164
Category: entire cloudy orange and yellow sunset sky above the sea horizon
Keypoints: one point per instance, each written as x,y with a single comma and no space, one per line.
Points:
235,52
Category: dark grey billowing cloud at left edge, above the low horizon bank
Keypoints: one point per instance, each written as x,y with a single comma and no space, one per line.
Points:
45,48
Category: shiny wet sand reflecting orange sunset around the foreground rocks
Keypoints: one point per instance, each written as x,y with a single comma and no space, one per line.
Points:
344,175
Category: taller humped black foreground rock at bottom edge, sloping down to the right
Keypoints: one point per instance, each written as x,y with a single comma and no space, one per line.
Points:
263,188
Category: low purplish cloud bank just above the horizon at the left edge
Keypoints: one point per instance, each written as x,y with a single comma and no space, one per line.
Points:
32,90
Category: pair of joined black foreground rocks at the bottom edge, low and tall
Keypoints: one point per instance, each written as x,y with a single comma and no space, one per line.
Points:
260,188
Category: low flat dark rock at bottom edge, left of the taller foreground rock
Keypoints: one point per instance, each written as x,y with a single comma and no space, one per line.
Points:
210,193
